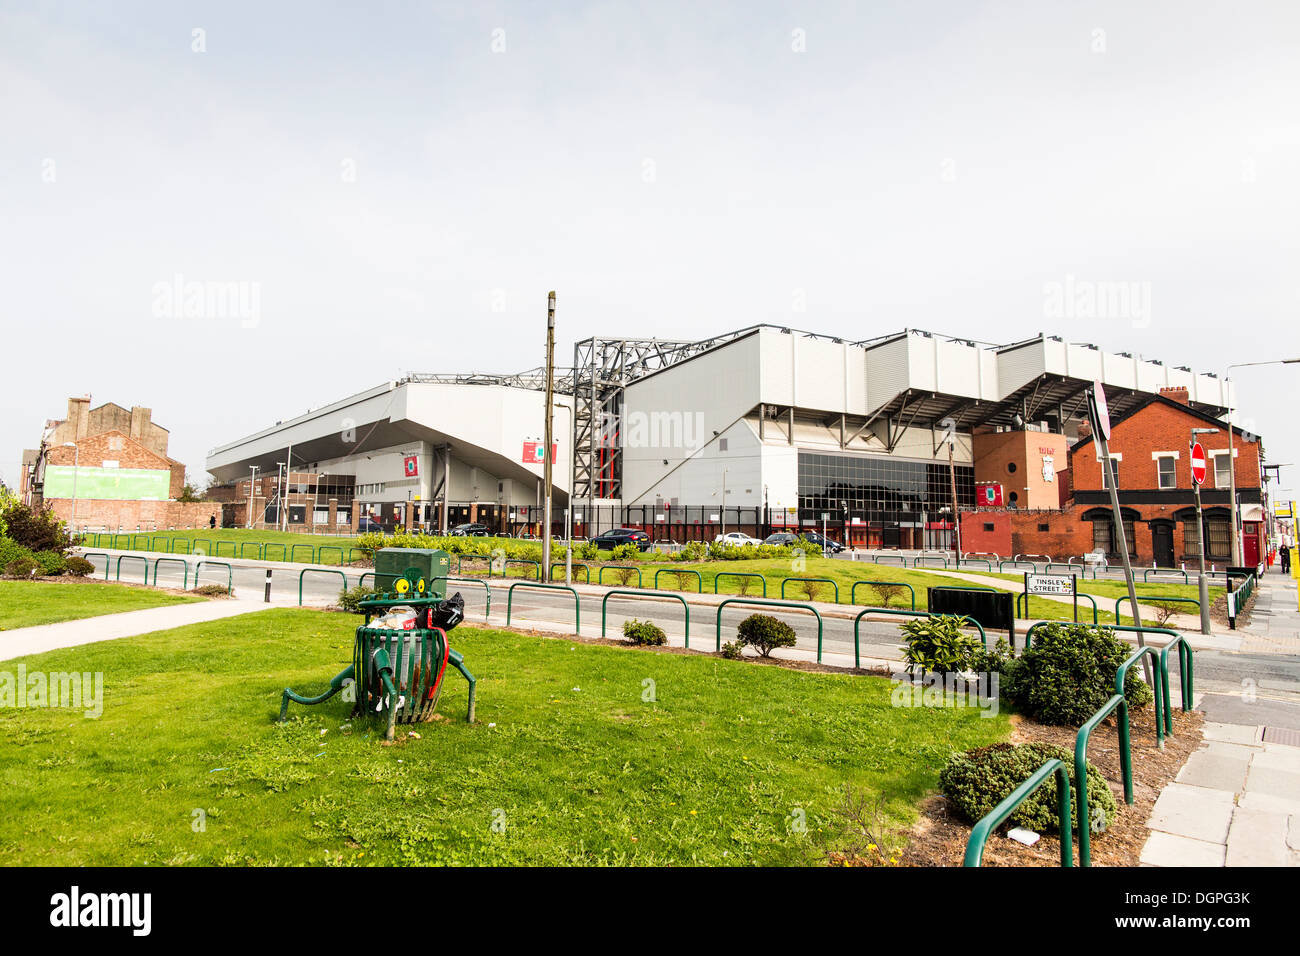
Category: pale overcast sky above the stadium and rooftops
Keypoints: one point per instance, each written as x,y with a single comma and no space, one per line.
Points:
396,187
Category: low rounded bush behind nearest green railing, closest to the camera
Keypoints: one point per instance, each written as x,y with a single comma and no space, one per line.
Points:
978,781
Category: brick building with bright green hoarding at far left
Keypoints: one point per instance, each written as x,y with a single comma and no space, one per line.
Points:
109,469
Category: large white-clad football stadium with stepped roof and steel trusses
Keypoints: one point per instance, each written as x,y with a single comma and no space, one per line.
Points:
752,417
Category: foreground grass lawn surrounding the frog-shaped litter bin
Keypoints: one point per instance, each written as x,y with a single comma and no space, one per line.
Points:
569,755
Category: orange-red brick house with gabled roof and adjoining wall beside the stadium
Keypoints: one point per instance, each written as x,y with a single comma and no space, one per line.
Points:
1150,447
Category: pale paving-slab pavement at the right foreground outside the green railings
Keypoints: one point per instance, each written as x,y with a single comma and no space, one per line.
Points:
1237,801
